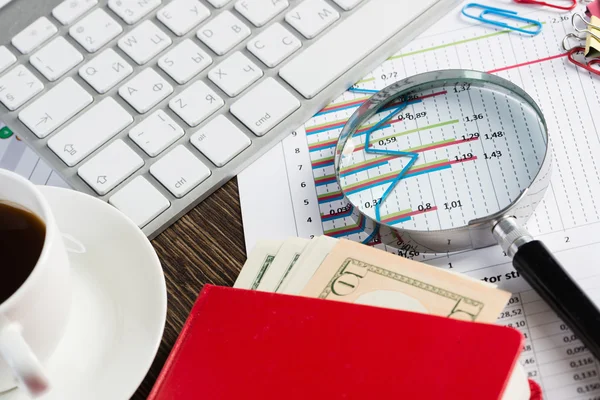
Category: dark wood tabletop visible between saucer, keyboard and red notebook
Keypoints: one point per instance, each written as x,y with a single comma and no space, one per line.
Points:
205,246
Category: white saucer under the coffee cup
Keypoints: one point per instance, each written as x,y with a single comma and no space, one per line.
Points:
119,303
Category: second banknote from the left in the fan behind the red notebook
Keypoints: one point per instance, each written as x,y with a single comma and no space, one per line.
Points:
286,259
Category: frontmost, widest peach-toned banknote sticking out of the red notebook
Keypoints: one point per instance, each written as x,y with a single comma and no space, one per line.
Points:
359,274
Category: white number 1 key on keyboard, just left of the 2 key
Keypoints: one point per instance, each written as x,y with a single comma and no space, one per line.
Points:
56,58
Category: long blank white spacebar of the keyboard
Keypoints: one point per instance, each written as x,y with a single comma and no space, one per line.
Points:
350,42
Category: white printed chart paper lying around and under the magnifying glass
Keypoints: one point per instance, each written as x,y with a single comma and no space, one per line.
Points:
568,220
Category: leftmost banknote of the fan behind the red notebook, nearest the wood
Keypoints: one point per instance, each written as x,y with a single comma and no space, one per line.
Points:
258,263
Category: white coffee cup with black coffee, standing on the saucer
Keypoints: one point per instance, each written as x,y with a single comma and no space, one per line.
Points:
34,317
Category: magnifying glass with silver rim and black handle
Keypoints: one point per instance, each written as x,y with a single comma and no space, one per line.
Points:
453,160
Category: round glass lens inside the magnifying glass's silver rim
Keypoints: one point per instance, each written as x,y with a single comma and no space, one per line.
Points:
442,155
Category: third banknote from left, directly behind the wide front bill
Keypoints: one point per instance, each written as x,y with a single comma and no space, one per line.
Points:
310,260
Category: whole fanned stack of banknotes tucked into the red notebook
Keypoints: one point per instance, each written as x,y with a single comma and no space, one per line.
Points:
347,271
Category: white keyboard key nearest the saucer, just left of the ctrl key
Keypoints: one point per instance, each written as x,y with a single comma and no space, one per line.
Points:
140,201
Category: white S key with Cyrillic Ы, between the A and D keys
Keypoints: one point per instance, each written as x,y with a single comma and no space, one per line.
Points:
184,61
